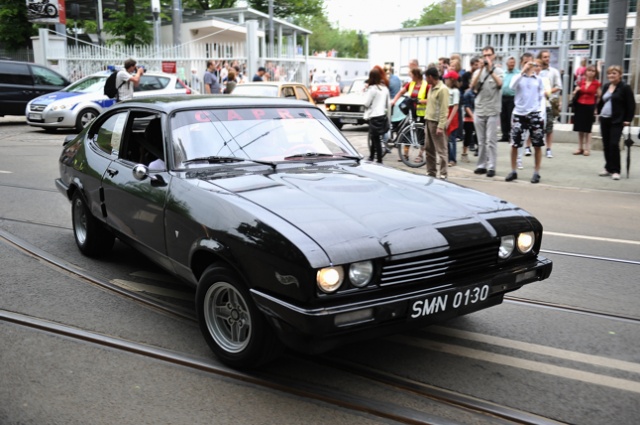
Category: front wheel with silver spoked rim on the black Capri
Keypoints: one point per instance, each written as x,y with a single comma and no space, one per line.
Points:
234,328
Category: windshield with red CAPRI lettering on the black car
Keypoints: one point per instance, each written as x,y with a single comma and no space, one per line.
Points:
204,136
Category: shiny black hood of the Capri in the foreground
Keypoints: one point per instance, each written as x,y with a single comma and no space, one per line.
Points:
367,211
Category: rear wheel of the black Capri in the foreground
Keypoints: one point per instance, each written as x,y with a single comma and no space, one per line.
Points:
91,237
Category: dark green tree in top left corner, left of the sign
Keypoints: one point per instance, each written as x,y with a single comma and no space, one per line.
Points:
15,30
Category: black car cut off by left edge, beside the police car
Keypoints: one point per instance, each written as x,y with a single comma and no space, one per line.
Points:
22,81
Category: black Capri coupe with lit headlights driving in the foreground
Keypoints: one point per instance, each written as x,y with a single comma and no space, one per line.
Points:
287,234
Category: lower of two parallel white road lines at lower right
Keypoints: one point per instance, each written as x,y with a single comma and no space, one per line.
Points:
534,366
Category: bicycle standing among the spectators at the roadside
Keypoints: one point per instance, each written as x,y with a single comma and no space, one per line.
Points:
409,137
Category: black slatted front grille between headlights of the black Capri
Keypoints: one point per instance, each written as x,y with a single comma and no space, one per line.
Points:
447,264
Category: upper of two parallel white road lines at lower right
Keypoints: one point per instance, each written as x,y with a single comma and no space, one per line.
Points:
538,349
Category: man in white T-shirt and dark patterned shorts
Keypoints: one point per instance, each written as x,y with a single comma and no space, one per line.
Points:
529,100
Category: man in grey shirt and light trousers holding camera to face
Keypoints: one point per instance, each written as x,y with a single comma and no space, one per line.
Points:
486,83
